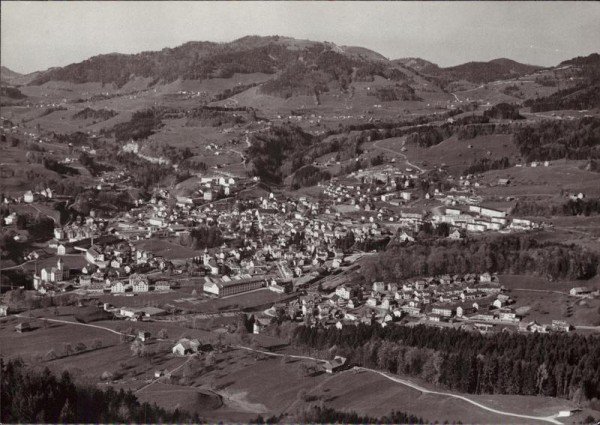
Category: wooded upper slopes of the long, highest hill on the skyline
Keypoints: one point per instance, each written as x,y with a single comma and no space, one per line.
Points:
297,66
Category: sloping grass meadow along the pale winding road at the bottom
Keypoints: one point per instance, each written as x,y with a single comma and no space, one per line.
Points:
261,385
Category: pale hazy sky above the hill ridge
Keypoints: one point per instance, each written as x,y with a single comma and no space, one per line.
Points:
39,35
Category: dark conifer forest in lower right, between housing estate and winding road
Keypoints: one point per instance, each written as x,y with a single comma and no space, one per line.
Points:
556,365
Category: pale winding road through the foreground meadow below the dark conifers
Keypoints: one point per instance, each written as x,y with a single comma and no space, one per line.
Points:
550,419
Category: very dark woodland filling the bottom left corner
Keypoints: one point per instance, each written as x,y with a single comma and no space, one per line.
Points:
30,396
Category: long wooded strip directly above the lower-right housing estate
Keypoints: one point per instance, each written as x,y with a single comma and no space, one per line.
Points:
511,254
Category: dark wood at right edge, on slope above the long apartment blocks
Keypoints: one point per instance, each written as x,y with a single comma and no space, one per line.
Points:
550,140
